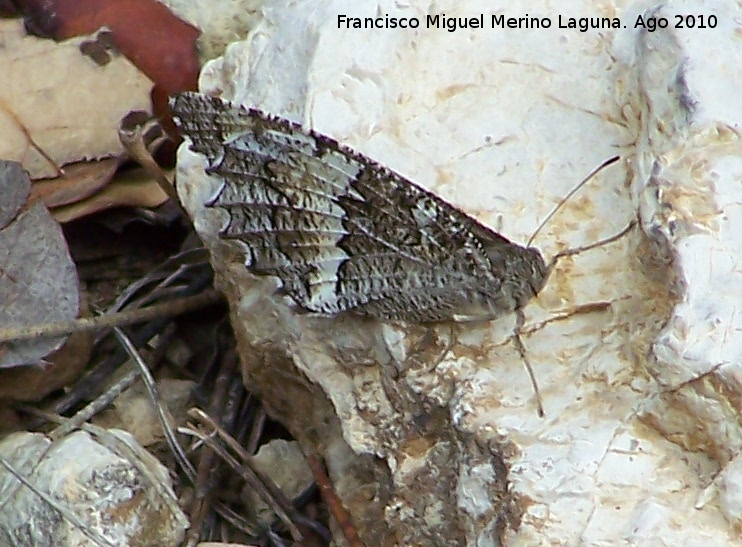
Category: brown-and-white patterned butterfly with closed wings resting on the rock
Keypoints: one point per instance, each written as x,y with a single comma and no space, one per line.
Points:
344,233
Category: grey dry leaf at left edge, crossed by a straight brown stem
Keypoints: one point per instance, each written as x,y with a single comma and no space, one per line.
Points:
38,280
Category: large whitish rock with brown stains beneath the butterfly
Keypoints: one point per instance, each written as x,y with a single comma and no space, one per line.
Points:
431,434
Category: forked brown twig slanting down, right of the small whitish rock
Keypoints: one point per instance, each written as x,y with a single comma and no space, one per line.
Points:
262,485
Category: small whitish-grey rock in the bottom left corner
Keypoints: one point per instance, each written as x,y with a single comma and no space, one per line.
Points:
86,489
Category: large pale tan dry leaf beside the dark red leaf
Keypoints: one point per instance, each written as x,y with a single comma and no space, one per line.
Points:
76,116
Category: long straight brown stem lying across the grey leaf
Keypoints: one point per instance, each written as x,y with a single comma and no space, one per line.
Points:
171,308
